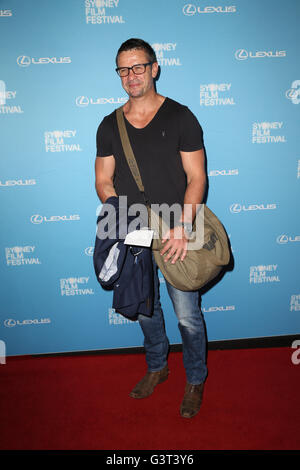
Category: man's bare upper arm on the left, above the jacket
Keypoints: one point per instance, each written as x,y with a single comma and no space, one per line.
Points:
104,174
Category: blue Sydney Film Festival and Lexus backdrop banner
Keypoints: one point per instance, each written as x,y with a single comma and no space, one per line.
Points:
237,66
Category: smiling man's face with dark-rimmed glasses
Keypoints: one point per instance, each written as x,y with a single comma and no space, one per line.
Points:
137,85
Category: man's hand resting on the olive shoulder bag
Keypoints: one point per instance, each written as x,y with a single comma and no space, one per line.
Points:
175,241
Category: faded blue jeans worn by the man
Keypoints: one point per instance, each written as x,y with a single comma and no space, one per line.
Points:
191,327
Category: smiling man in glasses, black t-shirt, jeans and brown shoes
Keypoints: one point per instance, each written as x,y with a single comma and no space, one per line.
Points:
167,142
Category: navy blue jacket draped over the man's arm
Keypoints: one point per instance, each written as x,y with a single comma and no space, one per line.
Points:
125,269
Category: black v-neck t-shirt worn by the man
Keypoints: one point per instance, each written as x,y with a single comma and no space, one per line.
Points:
157,151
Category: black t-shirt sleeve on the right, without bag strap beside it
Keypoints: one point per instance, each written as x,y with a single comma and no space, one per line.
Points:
191,134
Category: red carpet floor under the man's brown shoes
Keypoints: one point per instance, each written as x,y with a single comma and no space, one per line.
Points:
251,401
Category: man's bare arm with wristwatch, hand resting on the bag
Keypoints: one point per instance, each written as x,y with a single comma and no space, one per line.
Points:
175,240
